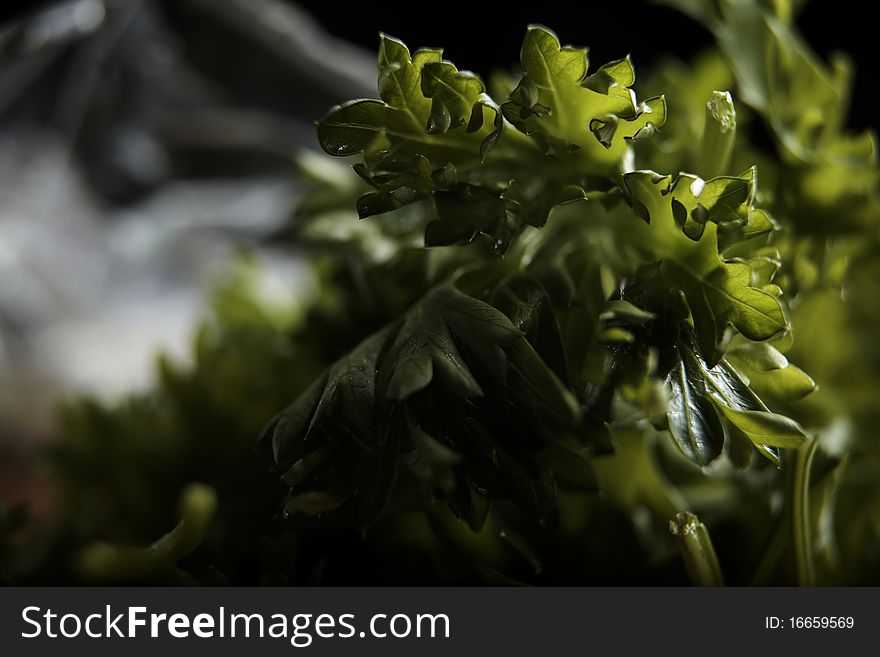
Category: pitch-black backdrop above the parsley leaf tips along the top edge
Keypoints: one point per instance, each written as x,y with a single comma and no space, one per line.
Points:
485,35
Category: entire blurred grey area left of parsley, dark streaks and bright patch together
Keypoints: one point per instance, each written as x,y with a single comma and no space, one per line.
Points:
142,144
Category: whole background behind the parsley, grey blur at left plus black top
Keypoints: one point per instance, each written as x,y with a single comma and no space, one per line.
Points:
146,144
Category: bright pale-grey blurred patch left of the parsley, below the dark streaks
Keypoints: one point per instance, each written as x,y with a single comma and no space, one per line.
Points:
87,300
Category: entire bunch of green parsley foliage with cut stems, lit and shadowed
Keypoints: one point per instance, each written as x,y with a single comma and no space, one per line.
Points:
534,351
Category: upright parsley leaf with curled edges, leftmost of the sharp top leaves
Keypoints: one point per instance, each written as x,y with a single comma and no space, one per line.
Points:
430,117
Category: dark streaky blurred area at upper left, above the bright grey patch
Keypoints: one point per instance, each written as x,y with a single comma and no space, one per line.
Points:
146,91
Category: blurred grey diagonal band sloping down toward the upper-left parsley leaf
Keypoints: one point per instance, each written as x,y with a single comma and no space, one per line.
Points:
336,66
